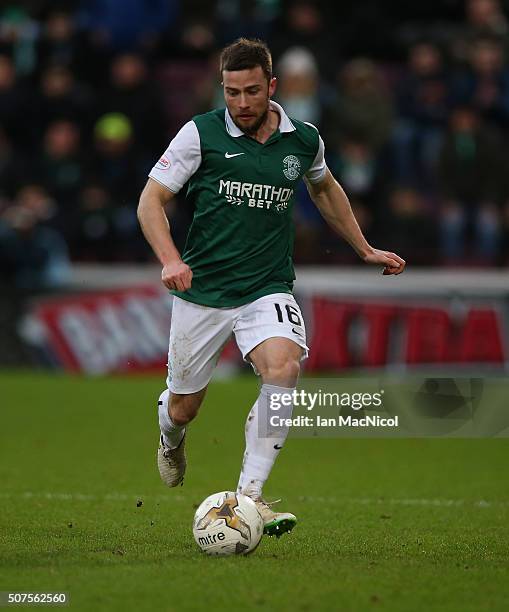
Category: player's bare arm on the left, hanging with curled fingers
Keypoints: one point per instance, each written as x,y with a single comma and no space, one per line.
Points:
156,229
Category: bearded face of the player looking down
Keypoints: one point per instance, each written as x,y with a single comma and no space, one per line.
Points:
247,95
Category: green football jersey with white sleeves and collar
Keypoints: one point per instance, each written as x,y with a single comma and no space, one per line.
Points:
240,242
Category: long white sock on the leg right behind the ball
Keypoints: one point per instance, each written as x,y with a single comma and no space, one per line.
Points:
261,451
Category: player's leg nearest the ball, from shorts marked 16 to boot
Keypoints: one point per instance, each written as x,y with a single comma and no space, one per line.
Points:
271,335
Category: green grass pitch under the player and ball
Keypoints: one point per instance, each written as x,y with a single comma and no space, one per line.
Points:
395,525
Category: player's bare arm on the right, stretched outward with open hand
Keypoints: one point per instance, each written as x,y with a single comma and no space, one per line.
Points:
334,206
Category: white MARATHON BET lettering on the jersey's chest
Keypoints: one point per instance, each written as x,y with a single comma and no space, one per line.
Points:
256,195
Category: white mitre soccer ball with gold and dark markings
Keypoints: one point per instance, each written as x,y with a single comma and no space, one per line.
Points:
227,523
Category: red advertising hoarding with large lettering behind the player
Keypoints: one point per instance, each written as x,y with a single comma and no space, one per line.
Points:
126,330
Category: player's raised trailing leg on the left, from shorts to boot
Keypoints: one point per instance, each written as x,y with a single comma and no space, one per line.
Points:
197,336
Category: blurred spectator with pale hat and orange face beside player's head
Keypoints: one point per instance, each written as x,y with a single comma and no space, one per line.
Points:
298,85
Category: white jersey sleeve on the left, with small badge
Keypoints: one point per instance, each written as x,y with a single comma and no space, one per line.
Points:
181,159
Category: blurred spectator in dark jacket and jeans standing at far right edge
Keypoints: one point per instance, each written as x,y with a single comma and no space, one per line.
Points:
471,174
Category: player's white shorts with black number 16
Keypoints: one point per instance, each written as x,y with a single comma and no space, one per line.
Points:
199,333
